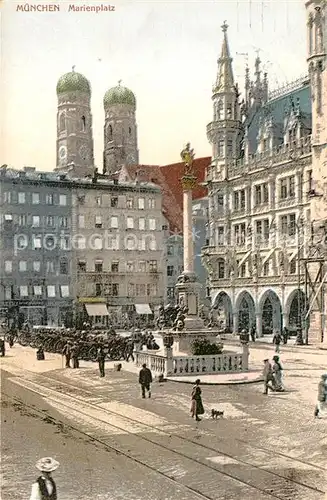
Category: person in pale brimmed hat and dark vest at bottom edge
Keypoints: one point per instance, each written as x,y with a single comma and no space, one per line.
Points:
45,487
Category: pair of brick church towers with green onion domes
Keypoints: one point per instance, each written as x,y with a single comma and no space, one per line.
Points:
75,149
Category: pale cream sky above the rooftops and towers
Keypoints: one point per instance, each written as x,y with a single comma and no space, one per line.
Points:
165,51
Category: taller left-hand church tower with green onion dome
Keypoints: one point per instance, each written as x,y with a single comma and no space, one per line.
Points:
74,125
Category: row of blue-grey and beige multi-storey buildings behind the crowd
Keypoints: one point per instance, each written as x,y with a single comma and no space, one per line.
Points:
79,245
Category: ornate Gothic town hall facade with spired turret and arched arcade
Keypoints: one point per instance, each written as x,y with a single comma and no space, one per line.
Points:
259,190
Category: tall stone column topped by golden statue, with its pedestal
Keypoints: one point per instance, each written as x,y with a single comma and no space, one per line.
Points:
188,287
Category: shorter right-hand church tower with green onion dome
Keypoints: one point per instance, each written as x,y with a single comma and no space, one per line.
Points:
120,130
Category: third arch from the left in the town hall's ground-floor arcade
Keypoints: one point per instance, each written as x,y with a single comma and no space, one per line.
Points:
270,309
